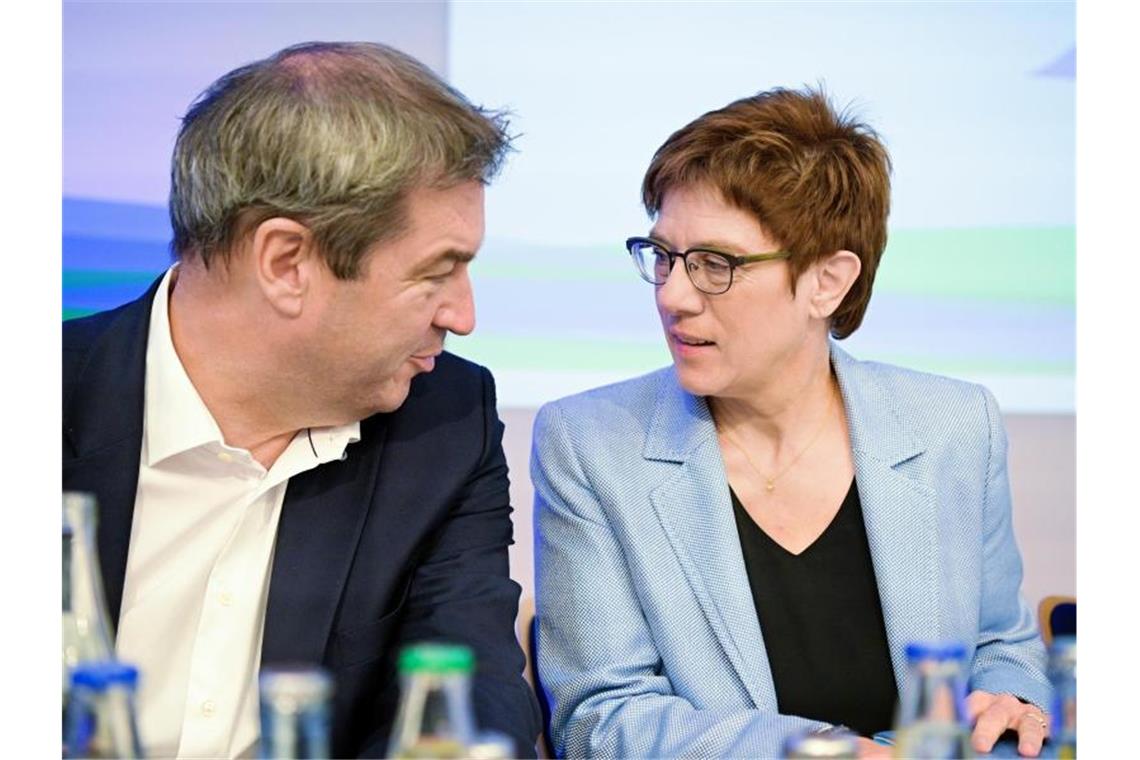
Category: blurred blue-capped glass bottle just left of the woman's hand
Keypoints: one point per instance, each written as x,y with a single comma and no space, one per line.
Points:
932,722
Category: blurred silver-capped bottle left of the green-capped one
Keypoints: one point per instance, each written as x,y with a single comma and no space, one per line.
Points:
296,713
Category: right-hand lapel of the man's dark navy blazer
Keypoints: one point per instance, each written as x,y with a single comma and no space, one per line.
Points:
317,536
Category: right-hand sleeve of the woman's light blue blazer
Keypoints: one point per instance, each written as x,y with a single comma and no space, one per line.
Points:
1011,657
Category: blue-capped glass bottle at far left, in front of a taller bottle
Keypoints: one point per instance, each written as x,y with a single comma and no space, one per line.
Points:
101,716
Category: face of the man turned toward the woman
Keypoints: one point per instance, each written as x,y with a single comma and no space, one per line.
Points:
372,336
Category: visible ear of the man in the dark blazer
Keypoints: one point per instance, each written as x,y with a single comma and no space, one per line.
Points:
284,258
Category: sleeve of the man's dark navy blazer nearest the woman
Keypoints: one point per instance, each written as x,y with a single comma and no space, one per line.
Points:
462,592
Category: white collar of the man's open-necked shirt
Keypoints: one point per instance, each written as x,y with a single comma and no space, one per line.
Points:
178,421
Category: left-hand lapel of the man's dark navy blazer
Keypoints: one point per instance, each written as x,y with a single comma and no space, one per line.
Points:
103,422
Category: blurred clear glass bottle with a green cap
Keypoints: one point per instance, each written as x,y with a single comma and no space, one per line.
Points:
435,718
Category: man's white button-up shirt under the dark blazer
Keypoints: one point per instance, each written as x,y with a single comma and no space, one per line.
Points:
201,552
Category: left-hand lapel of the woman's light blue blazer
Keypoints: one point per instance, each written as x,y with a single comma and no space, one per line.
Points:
694,506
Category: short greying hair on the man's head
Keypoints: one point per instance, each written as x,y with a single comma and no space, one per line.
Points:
332,135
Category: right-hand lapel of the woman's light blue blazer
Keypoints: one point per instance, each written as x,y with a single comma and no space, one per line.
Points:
900,512
